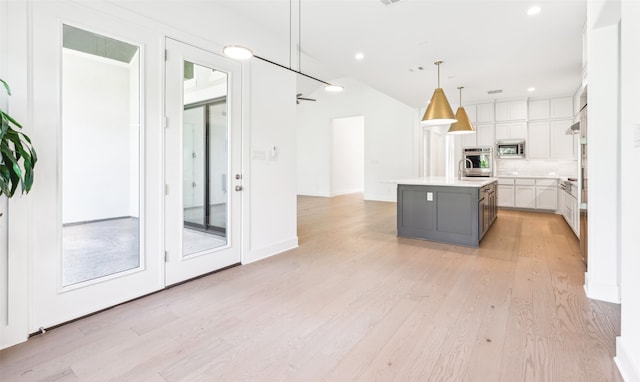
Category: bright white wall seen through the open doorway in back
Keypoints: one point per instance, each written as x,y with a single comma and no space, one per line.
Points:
347,159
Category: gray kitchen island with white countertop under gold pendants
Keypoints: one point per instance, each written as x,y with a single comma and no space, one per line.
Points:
446,210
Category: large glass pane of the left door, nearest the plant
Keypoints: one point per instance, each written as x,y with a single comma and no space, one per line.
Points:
100,156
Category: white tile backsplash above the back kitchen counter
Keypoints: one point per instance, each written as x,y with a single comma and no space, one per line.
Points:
536,167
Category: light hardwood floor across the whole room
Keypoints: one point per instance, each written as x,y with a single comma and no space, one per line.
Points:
354,302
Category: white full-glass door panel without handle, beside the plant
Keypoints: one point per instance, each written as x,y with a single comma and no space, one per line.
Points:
95,227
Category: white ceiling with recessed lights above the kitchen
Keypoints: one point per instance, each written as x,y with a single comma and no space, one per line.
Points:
485,45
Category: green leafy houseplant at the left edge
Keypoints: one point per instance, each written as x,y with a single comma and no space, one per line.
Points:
17,155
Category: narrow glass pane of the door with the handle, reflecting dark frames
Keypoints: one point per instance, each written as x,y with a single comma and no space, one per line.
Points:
205,163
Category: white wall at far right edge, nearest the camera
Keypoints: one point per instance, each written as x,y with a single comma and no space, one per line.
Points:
628,344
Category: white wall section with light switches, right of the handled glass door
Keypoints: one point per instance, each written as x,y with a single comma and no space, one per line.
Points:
271,180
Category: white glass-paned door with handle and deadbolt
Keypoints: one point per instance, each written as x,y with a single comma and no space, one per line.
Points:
203,162
